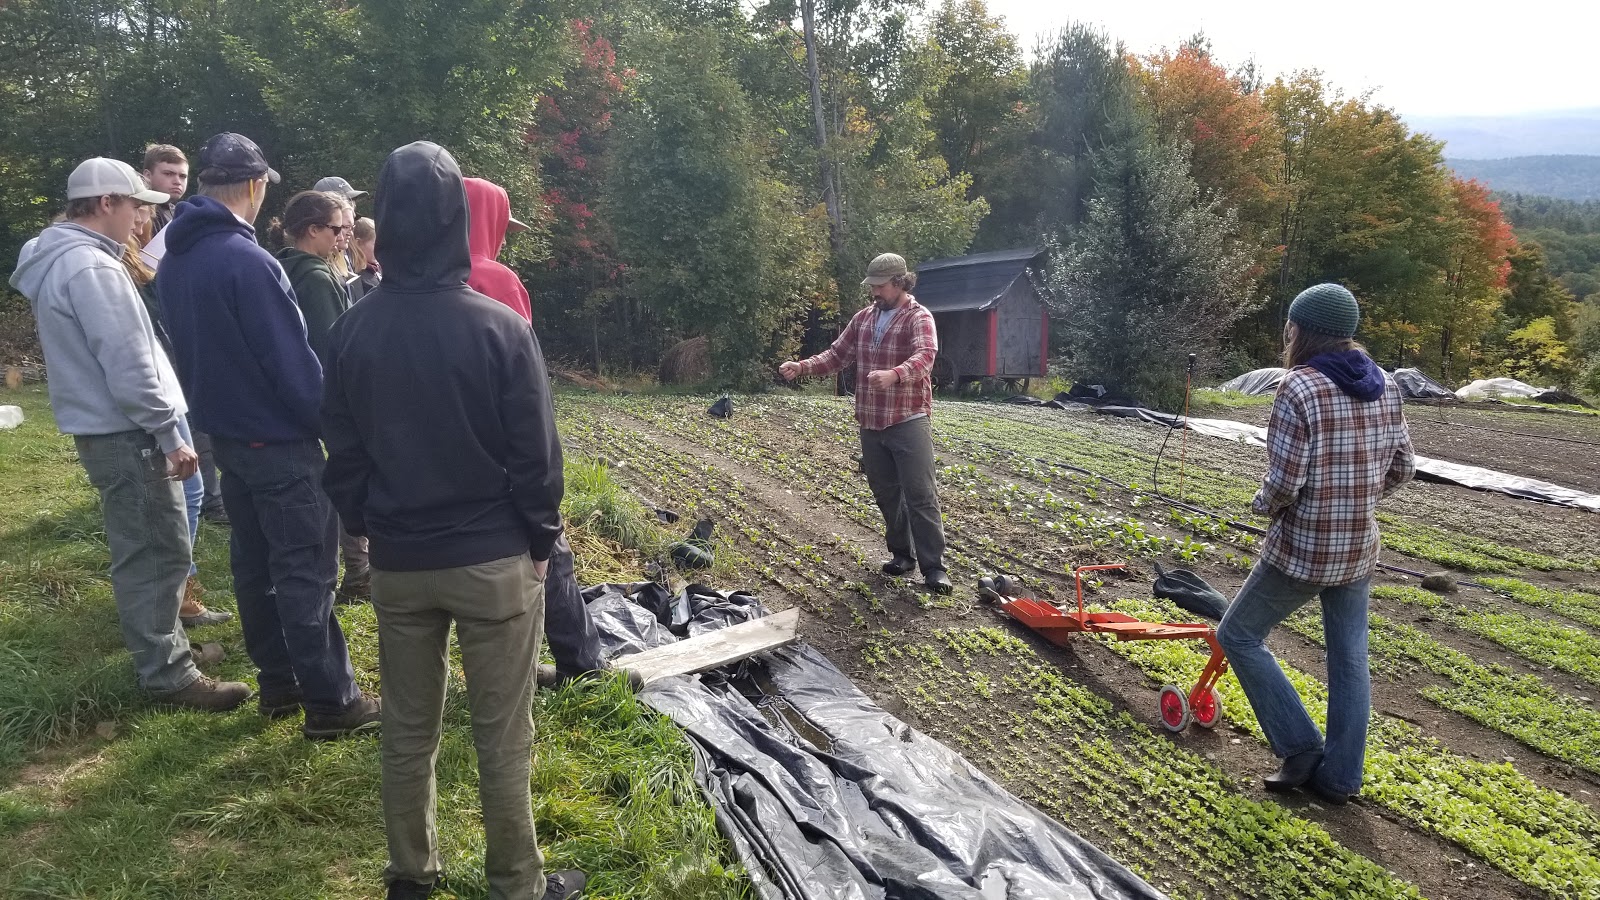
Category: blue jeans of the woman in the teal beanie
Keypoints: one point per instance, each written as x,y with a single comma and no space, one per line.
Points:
1266,600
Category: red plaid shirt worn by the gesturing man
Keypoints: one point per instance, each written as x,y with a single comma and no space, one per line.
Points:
908,348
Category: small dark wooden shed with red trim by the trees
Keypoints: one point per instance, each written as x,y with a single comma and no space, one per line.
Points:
991,318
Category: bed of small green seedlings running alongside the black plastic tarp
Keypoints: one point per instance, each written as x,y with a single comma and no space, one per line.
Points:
1166,811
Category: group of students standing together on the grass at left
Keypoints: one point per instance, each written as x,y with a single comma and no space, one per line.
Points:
391,404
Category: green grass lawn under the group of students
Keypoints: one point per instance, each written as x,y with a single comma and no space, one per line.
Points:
106,797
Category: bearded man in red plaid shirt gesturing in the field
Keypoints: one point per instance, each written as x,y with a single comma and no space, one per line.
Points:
892,345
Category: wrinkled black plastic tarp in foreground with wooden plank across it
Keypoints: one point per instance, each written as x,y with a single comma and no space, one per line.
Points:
826,797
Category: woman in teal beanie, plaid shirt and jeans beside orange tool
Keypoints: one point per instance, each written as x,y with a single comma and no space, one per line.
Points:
1337,444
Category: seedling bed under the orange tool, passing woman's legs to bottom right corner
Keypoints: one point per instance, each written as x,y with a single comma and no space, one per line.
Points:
1503,818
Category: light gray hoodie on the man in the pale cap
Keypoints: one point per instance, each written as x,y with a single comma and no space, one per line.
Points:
106,371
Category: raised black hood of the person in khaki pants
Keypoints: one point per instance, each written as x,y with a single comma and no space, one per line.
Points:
423,222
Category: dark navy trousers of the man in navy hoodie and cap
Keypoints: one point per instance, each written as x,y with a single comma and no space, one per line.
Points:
284,553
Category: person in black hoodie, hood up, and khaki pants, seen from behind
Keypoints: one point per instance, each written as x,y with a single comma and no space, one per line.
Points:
442,451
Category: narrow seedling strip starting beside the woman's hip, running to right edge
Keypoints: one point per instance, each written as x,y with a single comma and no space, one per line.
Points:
1562,648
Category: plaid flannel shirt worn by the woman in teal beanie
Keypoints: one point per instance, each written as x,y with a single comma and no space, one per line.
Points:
1330,460
